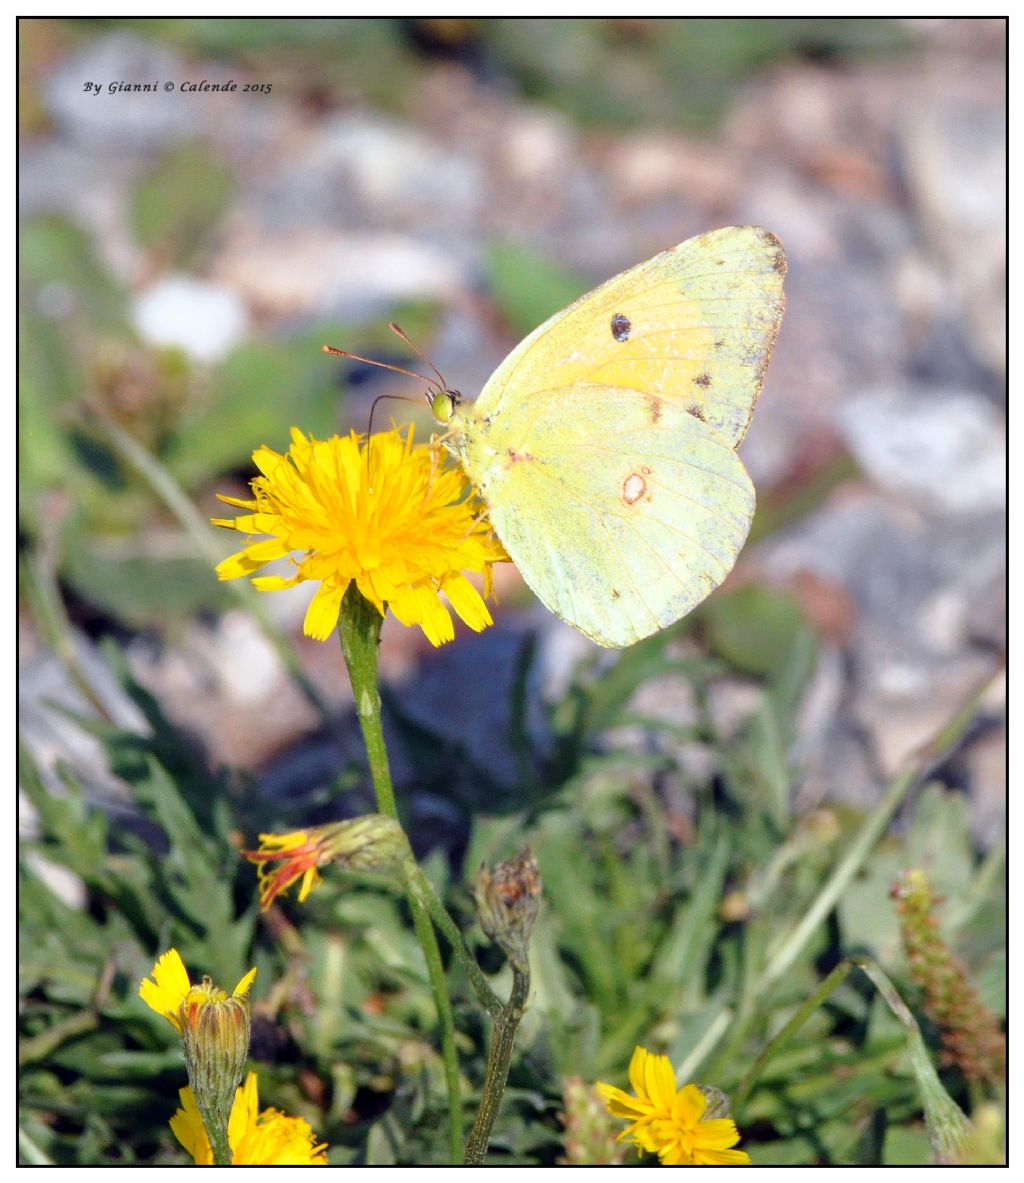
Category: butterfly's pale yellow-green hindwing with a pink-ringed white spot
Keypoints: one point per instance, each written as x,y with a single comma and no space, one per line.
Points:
621,509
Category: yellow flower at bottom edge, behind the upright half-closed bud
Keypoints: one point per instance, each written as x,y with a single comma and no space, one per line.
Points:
256,1140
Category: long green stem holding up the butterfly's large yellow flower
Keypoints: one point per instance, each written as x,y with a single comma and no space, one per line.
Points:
360,631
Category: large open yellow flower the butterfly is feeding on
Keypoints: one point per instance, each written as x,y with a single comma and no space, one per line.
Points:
391,516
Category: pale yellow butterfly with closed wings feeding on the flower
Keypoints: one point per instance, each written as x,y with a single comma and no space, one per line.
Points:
605,444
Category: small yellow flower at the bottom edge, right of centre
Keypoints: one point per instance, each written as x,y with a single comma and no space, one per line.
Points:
669,1122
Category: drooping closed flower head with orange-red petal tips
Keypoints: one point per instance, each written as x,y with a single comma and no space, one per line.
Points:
373,843
